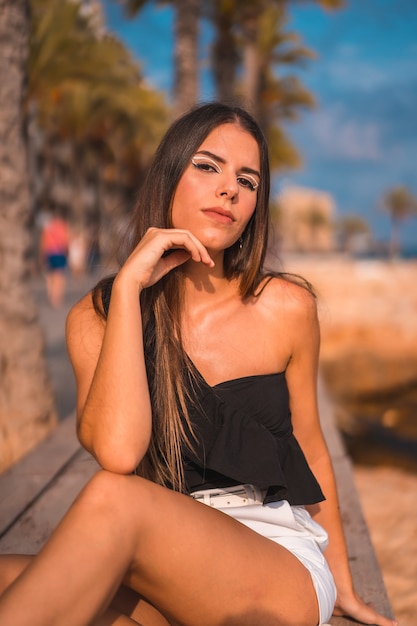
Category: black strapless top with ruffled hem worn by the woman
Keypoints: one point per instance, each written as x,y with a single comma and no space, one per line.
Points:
243,435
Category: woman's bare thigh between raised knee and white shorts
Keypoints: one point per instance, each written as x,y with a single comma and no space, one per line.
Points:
199,566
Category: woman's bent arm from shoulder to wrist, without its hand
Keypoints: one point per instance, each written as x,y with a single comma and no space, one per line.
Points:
113,405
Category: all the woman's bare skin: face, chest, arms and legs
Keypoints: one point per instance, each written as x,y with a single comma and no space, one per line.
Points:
194,564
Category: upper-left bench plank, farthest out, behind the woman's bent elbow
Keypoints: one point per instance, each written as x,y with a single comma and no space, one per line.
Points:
23,482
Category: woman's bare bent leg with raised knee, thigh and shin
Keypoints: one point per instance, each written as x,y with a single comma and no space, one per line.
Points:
196,565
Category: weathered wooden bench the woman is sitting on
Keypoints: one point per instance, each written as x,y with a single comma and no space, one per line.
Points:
36,492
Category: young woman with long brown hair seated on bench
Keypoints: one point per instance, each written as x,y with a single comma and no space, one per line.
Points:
196,375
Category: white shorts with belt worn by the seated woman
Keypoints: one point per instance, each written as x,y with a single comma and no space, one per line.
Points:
291,527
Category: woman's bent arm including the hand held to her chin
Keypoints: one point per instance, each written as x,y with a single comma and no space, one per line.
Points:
114,416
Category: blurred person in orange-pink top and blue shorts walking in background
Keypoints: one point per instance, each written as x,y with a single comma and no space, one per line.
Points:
54,246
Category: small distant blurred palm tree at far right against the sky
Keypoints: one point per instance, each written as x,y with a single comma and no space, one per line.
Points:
400,203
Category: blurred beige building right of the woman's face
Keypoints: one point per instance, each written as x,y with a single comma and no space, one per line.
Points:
306,220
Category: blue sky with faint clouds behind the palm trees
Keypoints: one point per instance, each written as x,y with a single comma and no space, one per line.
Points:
362,137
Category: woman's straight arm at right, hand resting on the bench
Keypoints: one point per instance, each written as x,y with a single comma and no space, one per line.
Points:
302,383
